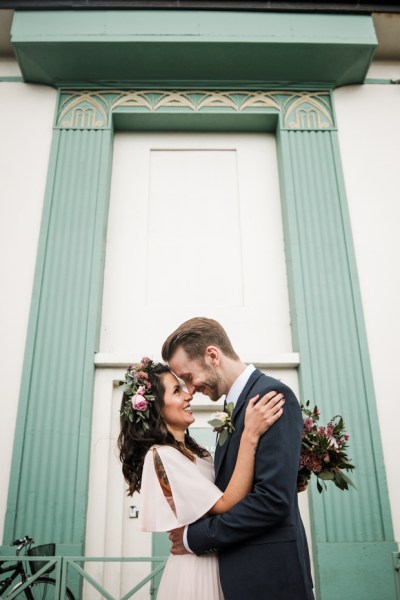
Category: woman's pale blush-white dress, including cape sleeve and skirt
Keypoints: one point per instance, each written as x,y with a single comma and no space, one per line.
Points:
186,577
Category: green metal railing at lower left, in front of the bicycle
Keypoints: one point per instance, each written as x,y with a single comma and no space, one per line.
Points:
67,568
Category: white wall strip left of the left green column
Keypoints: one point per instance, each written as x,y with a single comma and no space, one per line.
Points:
26,119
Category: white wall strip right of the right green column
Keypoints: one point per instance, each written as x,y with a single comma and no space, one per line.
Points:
368,119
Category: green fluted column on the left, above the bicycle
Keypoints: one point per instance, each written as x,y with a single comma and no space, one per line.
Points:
49,476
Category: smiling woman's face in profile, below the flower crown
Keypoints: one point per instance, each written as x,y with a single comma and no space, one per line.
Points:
176,412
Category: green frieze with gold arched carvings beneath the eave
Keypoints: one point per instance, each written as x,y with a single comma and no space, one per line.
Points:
88,109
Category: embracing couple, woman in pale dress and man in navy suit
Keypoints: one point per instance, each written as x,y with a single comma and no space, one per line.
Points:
235,525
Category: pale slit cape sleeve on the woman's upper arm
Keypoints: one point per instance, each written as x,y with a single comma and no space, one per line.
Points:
192,492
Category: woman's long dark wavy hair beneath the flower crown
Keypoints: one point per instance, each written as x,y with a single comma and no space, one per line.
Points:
134,441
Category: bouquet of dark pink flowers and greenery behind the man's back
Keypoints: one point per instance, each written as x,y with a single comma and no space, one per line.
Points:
324,451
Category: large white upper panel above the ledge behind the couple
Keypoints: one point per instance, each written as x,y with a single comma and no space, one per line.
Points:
195,229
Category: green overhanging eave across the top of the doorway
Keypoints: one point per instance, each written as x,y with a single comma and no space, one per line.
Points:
192,48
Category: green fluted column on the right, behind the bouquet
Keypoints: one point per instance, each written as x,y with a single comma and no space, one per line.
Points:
352,531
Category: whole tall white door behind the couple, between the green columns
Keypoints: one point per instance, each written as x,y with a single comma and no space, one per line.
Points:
194,229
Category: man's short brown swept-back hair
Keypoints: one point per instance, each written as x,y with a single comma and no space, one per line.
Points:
194,336
